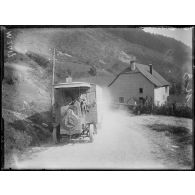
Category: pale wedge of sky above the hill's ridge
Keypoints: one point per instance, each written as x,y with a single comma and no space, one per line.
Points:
181,34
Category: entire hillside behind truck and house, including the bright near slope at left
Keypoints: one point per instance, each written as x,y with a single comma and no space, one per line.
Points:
89,54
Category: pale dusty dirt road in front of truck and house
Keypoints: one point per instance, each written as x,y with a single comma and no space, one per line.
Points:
124,142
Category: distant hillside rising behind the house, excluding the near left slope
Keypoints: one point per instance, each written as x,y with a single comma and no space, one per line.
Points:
108,50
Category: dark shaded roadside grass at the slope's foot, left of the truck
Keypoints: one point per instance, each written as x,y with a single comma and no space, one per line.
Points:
21,134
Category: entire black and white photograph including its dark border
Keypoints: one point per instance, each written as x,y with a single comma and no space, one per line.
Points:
97,98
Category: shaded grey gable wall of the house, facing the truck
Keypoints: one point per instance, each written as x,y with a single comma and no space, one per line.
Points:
127,86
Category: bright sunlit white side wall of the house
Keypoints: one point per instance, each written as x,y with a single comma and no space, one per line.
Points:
160,95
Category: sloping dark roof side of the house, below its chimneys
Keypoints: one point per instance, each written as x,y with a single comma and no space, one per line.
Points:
155,77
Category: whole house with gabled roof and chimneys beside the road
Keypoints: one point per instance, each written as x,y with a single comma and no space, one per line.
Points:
138,83
